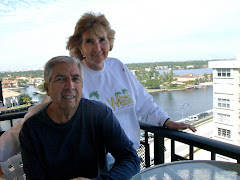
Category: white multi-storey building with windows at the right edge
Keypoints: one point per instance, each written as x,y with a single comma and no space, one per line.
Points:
226,100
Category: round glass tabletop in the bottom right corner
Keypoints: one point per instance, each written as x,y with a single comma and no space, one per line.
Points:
191,170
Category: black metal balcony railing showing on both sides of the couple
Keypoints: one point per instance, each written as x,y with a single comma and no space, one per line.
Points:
192,140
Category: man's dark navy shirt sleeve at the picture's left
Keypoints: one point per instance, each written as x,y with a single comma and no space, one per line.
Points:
32,164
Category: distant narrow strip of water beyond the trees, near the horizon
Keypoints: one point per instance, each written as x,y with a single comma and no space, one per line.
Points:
181,72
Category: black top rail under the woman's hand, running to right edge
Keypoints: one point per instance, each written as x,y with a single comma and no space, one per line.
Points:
212,145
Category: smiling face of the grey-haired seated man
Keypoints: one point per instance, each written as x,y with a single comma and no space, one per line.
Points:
65,86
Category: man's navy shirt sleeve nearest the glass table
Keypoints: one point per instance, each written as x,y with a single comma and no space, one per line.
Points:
117,143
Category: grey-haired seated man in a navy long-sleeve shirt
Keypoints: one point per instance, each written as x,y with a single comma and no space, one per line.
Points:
71,136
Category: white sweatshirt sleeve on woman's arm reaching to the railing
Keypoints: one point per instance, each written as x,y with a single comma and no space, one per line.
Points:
146,109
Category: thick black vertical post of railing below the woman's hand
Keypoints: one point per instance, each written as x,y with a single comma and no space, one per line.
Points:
158,150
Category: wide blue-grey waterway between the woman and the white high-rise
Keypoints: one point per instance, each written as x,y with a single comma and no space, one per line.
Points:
173,102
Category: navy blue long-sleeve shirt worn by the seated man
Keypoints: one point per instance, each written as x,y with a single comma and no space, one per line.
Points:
78,147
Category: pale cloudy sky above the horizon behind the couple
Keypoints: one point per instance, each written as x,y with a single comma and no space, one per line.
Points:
34,31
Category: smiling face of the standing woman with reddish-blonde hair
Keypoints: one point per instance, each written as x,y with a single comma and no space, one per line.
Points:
95,48
